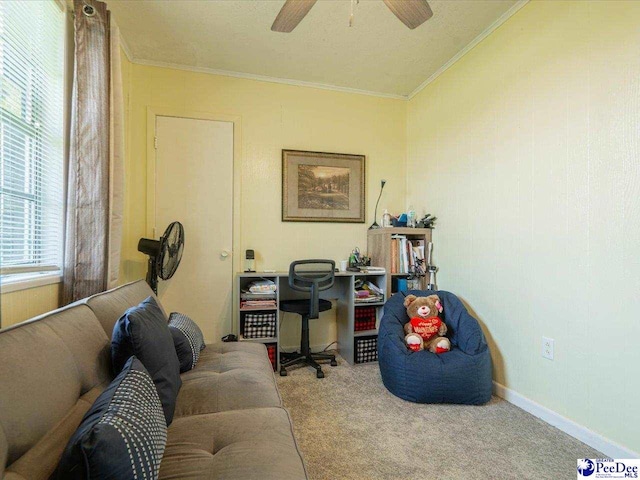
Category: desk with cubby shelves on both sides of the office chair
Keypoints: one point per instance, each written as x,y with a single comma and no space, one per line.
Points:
342,292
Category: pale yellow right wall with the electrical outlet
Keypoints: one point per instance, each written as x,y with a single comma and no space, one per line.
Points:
527,151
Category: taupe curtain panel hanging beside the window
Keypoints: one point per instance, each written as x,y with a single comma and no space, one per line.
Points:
94,187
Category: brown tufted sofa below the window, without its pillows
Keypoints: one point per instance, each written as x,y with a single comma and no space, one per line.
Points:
229,420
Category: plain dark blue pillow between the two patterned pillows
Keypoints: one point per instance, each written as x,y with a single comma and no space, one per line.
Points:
143,331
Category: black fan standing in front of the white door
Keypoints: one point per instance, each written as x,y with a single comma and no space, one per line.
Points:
164,254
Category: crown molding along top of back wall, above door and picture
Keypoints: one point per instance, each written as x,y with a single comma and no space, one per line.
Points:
264,78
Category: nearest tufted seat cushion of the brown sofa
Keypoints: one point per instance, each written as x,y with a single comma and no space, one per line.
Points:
243,444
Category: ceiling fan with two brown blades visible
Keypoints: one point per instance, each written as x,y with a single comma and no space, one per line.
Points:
412,13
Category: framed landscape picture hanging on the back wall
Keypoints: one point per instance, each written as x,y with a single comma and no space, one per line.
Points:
322,187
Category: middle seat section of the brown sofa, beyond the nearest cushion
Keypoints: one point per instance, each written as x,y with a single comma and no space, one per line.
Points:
233,390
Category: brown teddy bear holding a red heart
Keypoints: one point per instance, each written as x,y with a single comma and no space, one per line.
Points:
425,329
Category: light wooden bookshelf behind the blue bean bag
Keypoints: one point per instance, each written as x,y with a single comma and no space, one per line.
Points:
382,252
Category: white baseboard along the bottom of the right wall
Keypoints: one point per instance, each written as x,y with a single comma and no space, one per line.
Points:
597,441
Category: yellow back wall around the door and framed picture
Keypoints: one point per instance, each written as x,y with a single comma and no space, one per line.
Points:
273,117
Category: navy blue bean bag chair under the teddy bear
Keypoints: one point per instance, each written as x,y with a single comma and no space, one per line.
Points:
462,375
